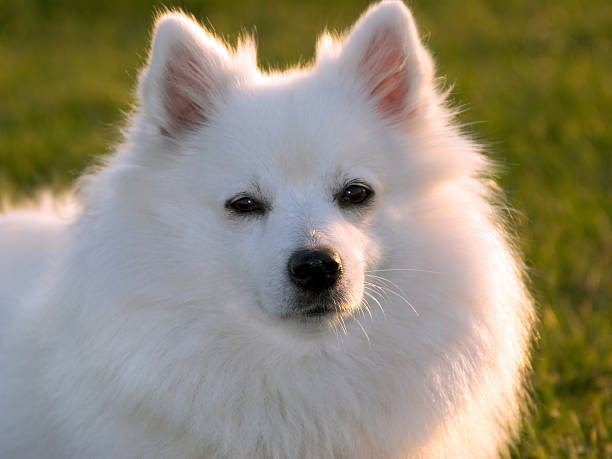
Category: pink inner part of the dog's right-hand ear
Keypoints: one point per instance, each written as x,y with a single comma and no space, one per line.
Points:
383,68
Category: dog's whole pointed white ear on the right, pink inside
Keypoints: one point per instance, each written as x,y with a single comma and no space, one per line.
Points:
383,54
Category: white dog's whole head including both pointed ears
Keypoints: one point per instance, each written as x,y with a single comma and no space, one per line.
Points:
277,184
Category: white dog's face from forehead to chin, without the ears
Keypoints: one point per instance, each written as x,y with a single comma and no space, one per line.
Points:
295,200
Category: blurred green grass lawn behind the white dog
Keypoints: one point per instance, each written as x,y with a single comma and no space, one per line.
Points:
538,80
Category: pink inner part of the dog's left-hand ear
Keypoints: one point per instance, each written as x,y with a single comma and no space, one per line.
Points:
185,92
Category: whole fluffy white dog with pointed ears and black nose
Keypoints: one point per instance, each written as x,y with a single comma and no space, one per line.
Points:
302,264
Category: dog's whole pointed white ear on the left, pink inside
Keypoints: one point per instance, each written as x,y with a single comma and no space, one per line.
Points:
187,73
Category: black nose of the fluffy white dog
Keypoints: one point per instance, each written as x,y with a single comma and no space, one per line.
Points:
315,270
